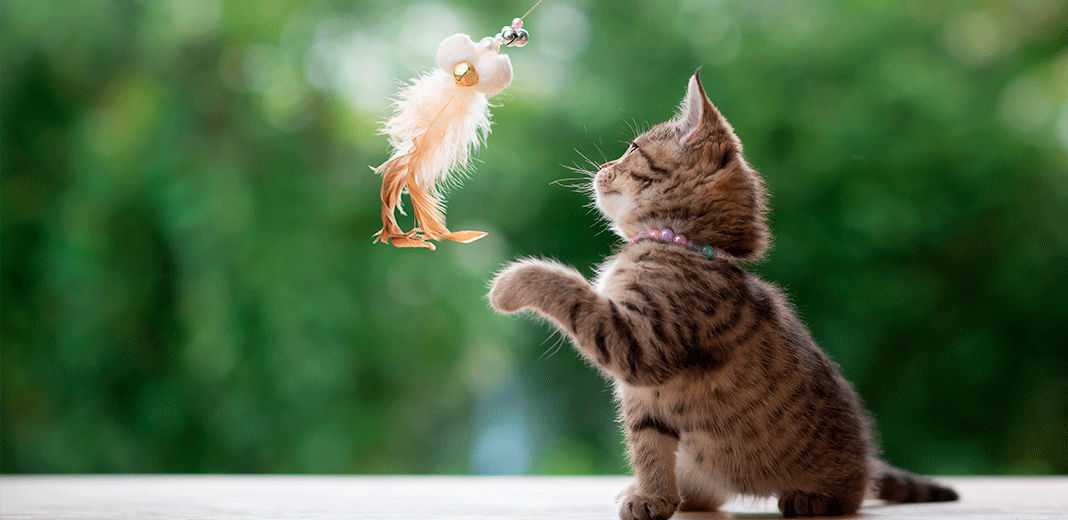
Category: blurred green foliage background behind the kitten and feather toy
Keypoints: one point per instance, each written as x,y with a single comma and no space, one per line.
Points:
190,286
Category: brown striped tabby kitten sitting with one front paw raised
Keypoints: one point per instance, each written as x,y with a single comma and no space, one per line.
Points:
721,389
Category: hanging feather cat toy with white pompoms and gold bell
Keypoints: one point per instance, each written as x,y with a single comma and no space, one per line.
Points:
439,120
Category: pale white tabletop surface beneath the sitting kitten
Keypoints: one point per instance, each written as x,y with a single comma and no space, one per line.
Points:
416,498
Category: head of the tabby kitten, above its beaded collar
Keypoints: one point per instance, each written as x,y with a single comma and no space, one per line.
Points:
688,175
